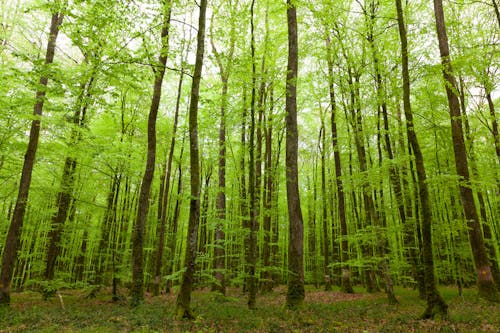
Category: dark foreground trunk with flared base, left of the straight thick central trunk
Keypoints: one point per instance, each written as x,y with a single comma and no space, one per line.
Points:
184,297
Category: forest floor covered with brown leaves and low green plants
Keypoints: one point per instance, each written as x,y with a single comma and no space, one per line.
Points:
322,312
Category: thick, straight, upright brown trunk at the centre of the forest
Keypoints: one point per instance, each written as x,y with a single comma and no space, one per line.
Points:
295,293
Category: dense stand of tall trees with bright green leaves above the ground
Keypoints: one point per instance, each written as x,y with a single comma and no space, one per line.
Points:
153,146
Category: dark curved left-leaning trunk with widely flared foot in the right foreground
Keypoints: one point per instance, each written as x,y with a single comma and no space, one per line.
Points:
435,303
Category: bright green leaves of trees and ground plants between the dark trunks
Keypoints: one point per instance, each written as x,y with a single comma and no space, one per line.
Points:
116,43
